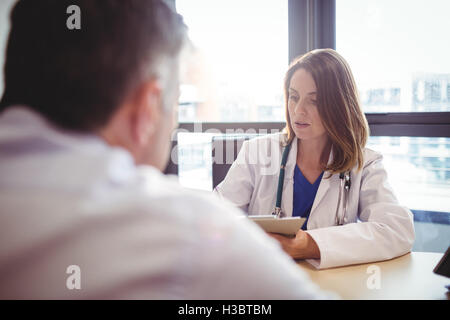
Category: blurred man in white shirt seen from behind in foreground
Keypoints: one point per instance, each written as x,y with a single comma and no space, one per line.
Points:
85,126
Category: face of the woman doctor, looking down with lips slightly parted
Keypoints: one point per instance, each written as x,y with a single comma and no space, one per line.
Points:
302,107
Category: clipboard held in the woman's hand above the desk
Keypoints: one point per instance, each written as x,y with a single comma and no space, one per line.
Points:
286,226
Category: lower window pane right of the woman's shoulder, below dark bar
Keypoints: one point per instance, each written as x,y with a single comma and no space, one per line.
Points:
418,170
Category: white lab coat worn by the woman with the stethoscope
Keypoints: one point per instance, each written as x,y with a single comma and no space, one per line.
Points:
377,227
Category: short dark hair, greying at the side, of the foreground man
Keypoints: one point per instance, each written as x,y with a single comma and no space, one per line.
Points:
77,78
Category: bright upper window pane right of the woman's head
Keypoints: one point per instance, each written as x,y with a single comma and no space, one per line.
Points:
398,52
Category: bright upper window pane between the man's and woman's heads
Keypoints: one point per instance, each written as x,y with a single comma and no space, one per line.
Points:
238,61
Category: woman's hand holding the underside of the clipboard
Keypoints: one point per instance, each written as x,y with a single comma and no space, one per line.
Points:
302,246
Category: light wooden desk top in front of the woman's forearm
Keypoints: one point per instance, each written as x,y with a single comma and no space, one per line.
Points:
407,277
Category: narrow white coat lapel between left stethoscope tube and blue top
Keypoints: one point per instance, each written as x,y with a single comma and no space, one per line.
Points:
288,188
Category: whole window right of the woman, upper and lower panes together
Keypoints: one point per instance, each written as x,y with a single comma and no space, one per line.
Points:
398,52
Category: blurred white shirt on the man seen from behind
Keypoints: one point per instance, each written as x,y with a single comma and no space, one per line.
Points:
70,199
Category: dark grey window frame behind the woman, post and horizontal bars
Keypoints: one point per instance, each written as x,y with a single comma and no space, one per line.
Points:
312,25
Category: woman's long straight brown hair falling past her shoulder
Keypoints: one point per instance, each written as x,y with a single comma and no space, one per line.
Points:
338,106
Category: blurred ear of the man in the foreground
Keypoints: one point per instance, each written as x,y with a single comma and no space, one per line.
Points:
146,112
